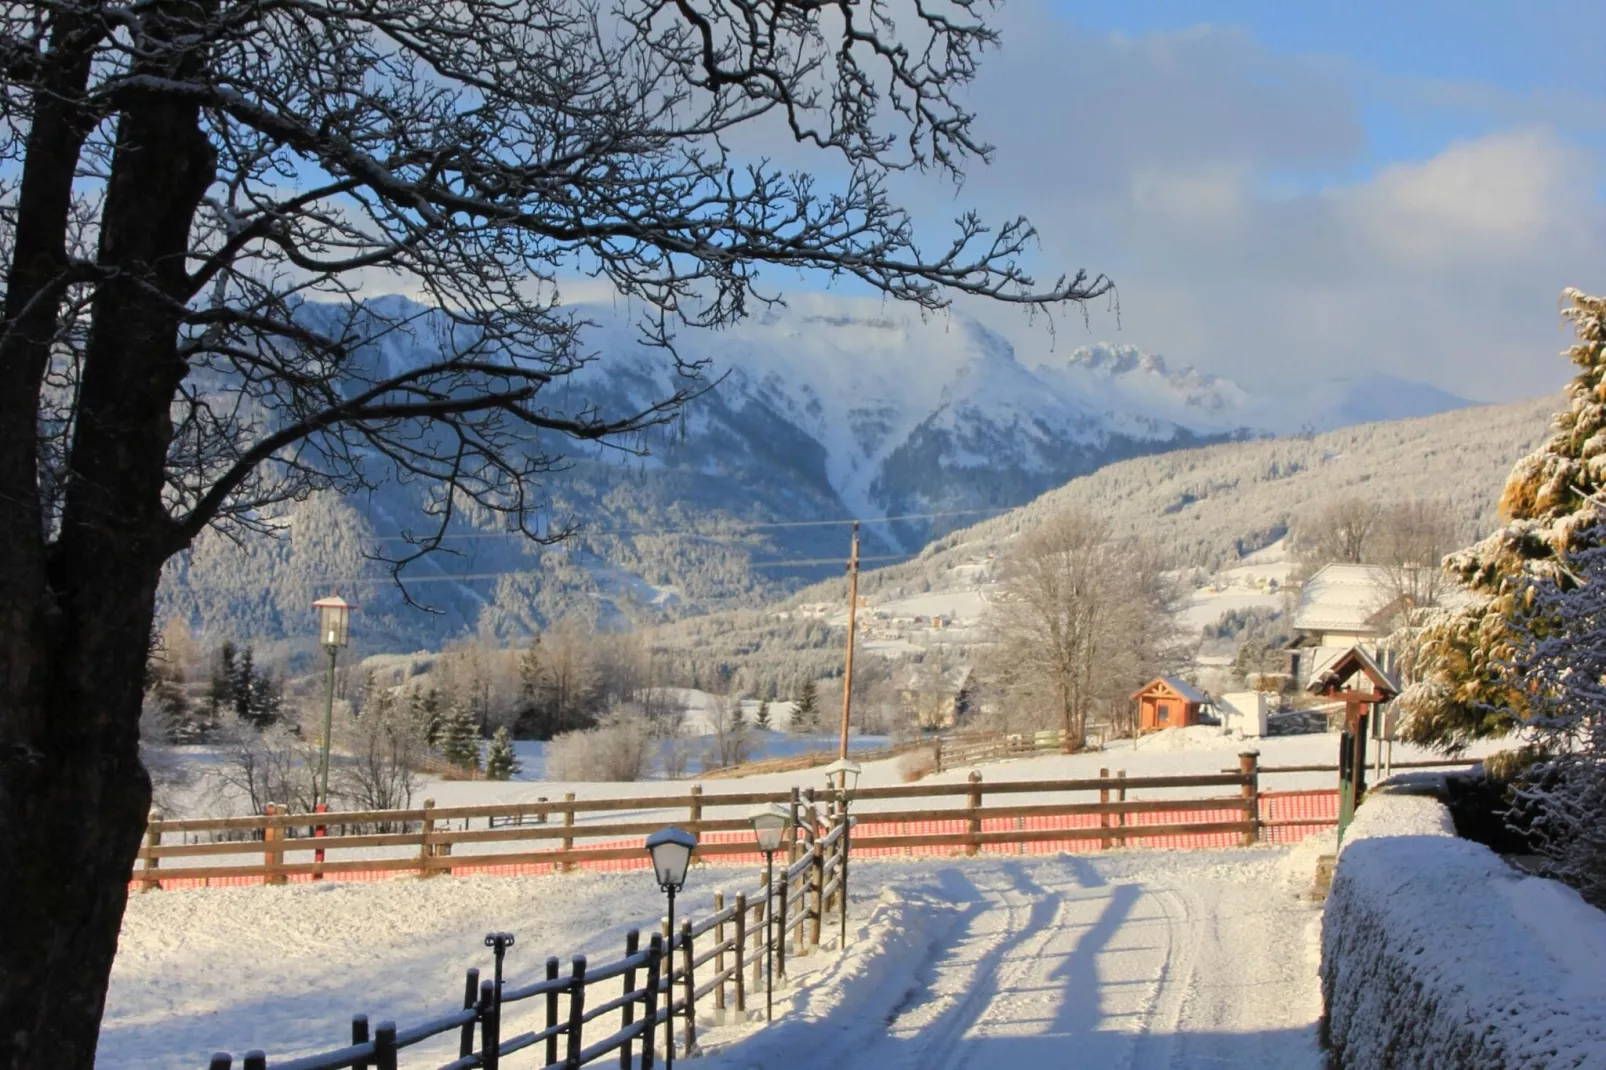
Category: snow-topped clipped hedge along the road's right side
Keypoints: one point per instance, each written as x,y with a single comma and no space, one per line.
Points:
1437,954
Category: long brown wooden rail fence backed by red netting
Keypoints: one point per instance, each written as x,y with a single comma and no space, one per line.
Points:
542,838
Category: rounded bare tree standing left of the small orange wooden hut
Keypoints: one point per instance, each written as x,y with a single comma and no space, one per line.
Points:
1080,621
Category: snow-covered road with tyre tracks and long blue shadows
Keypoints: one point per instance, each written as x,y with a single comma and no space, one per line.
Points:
1136,963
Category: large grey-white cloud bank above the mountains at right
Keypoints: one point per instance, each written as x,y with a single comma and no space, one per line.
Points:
1160,160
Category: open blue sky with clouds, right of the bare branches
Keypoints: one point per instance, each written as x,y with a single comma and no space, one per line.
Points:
1292,190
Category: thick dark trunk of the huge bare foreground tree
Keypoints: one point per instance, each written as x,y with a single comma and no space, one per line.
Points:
73,647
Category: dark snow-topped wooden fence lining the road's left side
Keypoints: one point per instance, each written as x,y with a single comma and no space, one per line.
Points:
805,891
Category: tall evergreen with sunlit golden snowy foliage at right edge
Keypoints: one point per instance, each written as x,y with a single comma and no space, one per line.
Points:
1459,661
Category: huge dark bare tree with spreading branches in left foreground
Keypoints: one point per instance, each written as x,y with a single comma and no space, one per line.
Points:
198,195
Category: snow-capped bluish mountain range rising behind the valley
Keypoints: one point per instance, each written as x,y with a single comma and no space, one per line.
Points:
826,409
